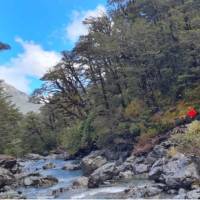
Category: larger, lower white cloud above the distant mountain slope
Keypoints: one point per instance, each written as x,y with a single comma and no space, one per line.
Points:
34,61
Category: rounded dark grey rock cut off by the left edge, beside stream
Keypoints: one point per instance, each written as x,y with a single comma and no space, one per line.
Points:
6,177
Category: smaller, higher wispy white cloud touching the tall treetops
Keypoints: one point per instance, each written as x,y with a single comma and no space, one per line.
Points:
76,27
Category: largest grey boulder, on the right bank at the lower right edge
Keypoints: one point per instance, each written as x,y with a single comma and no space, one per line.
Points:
176,172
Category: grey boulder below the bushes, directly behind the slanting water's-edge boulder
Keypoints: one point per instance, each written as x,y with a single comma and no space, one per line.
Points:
93,161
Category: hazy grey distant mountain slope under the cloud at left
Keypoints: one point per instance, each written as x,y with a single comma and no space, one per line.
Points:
20,99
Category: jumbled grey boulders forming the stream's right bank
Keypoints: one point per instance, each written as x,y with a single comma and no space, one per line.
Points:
167,175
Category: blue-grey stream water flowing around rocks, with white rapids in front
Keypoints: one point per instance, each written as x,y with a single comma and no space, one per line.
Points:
65,178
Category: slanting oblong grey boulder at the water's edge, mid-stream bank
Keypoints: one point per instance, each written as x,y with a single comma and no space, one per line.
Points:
104,173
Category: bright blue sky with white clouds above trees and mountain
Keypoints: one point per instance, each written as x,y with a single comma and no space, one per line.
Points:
37,31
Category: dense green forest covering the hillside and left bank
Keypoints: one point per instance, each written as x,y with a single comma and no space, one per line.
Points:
128,81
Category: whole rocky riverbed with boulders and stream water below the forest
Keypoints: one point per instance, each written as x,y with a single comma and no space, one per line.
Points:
160,173
